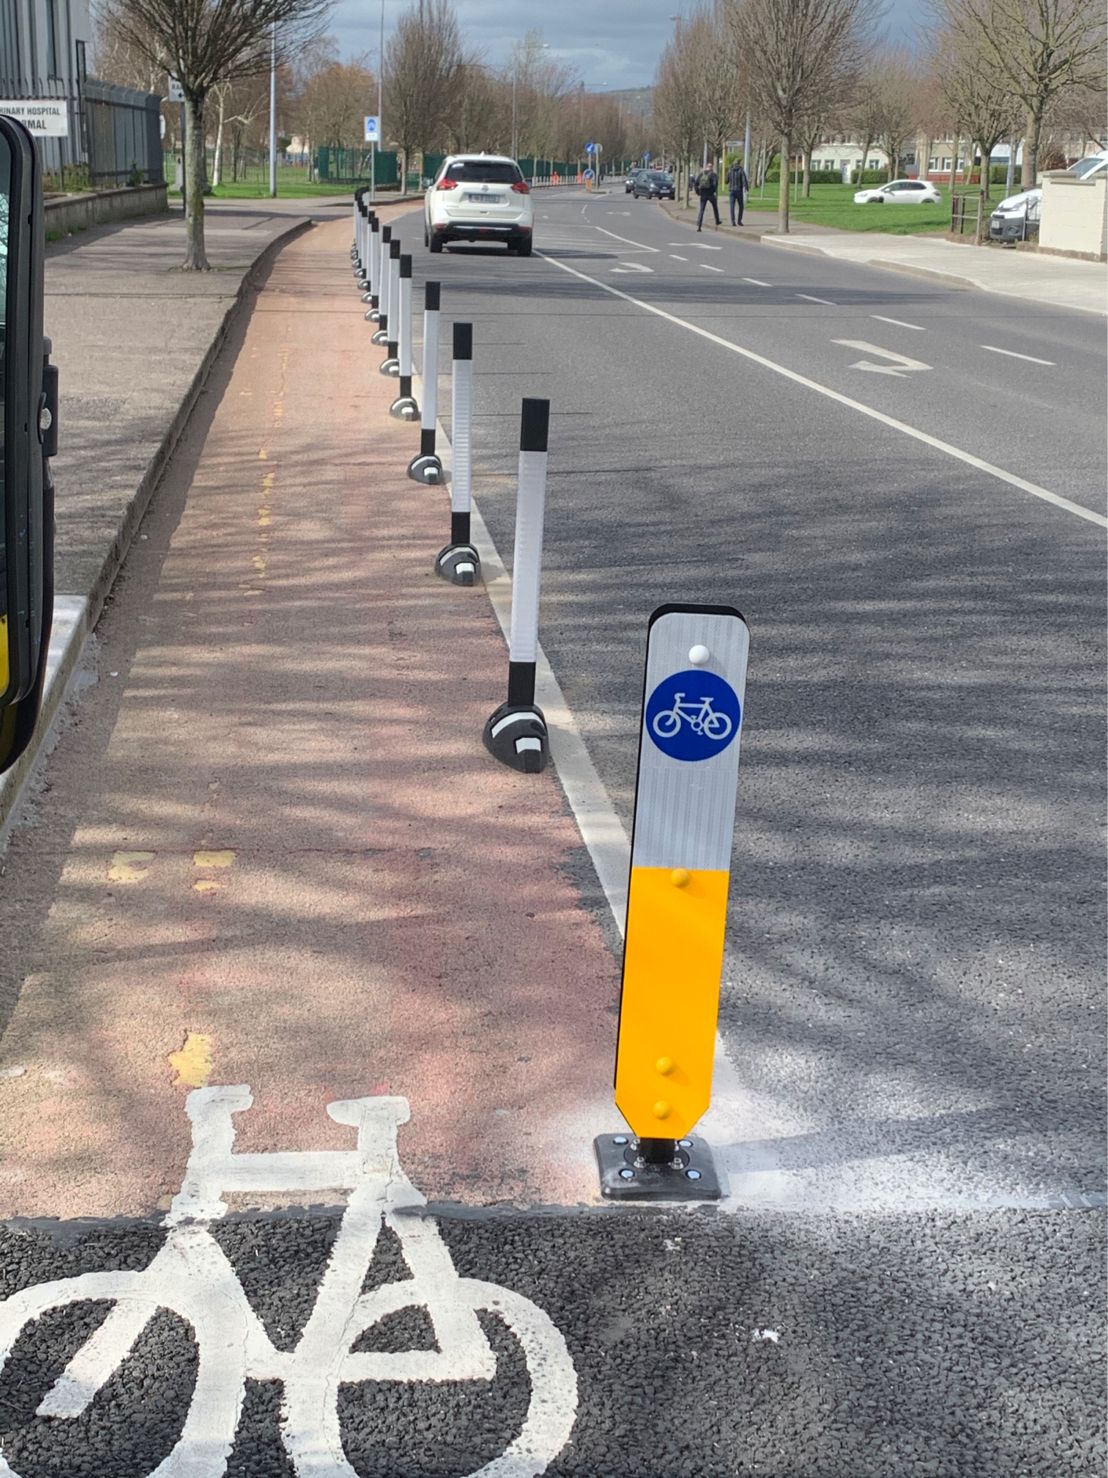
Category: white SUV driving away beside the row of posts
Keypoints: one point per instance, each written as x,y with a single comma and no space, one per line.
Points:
479,197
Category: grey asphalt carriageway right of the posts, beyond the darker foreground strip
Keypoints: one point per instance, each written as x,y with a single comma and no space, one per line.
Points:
914,992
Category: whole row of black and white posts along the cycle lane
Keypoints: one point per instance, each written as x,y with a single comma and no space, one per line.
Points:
516,734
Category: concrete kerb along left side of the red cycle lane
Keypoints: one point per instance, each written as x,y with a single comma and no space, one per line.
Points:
76,617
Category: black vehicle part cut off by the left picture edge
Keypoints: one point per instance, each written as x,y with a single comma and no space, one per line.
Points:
29,435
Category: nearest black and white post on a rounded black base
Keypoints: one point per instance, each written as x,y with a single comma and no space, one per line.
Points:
516,734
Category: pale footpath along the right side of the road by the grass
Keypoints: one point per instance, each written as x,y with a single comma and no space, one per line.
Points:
1027,276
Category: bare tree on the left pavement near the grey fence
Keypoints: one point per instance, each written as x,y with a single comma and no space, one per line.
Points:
205,44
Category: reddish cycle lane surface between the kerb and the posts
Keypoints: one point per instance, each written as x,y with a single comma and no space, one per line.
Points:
271,849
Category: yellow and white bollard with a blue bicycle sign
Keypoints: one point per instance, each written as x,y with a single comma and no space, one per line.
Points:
677,902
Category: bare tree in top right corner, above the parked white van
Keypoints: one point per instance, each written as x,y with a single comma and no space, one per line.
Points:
1041,48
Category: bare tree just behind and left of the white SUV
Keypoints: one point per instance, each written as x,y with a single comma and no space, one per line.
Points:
423,78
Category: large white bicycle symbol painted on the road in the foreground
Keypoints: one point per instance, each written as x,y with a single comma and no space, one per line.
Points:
193,1278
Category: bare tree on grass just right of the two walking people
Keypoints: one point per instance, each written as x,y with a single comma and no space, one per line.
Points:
798,52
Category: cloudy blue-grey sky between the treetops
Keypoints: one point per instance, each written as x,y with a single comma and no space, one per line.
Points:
606,44
